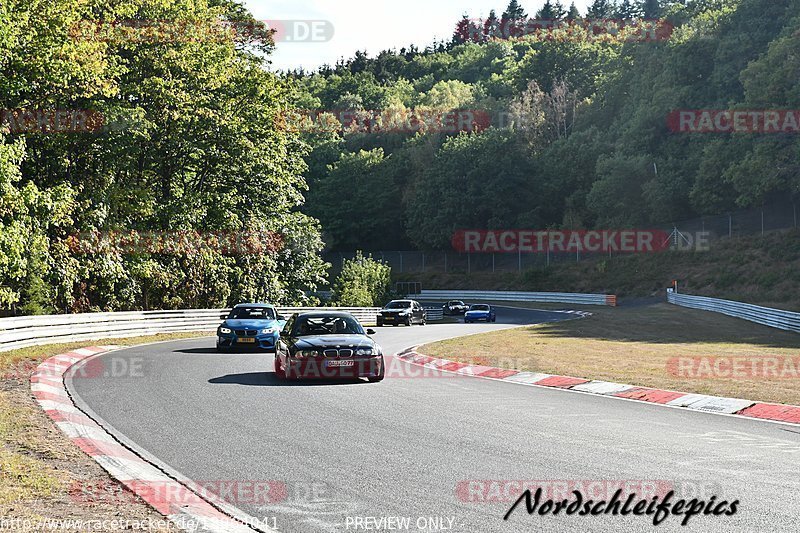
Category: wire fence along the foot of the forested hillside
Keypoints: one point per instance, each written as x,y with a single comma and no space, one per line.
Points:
692,234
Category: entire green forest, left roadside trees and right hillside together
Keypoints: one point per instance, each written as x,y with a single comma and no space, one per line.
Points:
150,157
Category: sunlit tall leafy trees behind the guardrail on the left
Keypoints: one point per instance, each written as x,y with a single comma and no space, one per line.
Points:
147,121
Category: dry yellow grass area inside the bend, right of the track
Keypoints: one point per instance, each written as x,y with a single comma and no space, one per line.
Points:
635,346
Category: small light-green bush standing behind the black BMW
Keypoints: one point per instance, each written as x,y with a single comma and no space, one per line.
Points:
363,282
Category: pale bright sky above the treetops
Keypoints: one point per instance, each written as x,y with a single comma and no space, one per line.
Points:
341,27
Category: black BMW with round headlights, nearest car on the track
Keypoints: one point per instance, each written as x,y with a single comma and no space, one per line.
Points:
327,345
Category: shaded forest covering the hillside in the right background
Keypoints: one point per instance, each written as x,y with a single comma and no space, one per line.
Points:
575,122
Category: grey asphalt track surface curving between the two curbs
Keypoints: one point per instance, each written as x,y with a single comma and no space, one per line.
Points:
429,448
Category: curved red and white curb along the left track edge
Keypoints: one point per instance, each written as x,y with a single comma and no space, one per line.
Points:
188,511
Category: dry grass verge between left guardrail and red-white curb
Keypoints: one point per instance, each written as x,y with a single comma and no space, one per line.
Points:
42,475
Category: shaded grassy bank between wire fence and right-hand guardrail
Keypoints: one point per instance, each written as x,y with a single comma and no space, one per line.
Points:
757,269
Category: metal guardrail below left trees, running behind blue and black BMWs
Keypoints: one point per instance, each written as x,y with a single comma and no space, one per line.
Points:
19,332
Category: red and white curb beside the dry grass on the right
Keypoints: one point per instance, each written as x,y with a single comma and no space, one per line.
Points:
789,414
